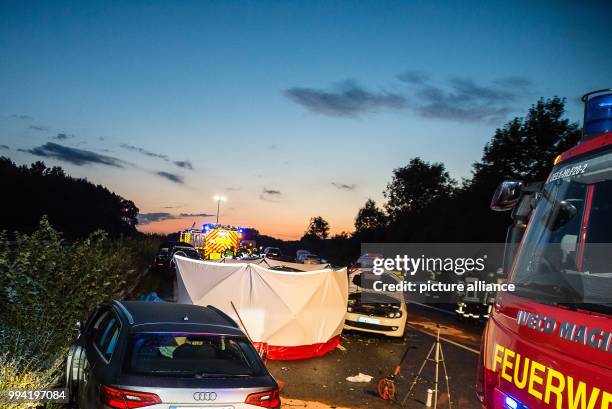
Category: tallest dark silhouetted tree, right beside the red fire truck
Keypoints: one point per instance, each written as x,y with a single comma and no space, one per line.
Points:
523,149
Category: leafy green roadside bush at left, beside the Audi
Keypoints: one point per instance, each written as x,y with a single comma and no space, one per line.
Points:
46,285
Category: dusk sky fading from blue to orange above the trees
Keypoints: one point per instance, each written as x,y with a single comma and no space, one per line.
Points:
289,109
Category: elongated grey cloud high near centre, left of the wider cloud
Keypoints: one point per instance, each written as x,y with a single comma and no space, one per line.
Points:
347,99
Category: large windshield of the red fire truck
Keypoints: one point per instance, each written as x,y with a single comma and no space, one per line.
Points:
566,255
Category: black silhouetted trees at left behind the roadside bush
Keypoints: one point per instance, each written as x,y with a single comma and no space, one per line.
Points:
74,206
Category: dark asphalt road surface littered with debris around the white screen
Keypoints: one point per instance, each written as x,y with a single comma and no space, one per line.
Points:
324,379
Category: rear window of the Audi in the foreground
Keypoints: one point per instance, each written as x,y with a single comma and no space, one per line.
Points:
191,355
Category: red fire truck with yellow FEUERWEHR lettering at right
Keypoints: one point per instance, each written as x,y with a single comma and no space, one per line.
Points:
548,344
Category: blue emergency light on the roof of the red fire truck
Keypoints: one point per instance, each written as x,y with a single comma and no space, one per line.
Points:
597,113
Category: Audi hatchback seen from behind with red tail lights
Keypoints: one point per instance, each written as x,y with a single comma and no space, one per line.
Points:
137,354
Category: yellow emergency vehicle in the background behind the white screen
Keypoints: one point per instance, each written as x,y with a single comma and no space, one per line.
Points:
215,241
